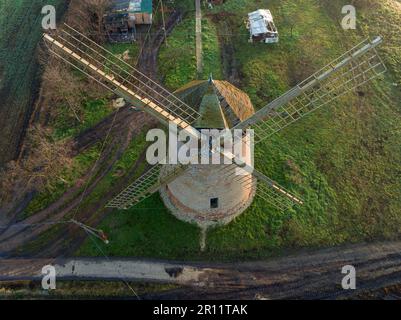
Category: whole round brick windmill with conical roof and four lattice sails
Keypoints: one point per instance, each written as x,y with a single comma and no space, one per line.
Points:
212,204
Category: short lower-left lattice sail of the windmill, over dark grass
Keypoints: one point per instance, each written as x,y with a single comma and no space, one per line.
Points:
145,186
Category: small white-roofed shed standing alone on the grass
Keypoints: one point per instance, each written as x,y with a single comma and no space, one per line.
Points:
261,27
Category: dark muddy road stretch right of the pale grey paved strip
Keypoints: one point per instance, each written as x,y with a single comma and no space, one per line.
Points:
310,275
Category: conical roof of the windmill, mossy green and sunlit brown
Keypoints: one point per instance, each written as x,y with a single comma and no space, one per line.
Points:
220,104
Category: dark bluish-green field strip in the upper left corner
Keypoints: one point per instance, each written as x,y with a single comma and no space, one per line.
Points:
20,33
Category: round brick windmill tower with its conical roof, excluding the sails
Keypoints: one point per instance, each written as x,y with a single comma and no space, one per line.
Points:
205,194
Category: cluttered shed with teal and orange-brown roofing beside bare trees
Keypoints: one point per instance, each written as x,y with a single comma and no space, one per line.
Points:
124,15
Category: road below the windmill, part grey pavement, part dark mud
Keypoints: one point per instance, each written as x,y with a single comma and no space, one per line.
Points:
307,275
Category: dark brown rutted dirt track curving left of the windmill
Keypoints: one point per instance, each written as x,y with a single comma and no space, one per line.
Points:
127,124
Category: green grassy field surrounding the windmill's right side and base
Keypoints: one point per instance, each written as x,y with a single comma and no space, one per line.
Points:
343,160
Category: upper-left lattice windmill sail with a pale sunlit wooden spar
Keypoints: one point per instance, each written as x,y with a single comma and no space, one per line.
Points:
119,77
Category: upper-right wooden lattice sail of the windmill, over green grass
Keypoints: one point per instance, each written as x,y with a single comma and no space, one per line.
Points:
356,67
